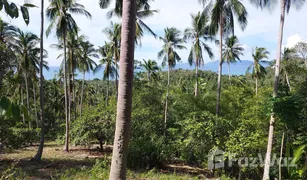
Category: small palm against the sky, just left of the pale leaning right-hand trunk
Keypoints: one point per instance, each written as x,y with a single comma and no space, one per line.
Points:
258,71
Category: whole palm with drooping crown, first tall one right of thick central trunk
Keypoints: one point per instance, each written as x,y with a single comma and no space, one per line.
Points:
169,56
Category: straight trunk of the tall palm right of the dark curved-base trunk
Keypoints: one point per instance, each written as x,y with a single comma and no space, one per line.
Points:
66,147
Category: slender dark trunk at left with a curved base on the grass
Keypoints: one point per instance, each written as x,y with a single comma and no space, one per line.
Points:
39,153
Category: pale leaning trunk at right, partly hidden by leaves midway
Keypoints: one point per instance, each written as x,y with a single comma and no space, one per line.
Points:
275,92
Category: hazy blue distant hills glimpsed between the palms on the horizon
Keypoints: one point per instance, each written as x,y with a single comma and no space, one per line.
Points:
235,69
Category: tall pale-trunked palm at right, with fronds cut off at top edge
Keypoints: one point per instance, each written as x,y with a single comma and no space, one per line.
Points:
285,6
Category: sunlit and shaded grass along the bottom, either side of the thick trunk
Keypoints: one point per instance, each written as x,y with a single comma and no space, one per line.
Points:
78,164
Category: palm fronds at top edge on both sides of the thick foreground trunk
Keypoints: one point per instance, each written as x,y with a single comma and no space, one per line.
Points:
143,11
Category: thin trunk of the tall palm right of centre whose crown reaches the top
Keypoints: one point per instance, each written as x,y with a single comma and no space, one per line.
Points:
219,71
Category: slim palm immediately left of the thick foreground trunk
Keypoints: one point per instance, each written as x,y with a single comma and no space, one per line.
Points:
113,33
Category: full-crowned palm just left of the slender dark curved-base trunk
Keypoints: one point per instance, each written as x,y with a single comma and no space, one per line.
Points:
24,45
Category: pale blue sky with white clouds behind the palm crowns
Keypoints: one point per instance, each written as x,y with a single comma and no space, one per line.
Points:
262,29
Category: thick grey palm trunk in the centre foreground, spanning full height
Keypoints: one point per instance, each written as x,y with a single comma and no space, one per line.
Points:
124,103
